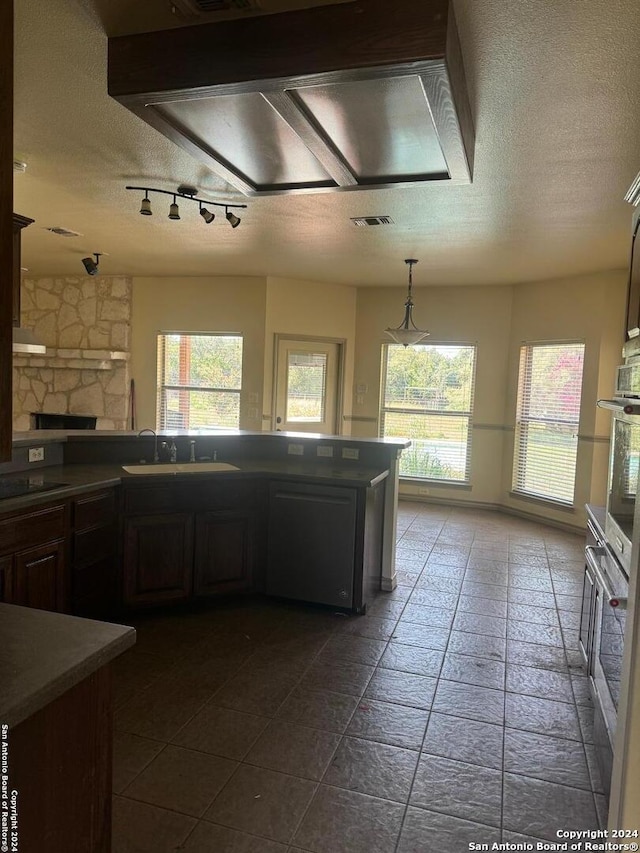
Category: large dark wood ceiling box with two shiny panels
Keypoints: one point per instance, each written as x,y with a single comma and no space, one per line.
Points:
335,98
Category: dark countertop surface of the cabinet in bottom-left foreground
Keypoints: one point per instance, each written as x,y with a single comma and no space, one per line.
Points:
43,654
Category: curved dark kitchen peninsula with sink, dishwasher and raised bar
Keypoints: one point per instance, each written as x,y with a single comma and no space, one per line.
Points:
299,516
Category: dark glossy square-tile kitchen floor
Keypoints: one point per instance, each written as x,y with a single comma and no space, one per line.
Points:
455,711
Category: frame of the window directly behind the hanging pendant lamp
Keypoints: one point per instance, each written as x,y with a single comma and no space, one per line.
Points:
383,410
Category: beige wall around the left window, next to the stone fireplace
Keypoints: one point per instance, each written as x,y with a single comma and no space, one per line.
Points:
220,304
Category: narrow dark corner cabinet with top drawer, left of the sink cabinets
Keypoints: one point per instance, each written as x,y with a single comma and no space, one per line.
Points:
94,547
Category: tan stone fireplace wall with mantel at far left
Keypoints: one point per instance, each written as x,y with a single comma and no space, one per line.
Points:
85,324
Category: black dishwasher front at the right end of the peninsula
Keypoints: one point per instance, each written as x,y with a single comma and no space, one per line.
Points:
312,536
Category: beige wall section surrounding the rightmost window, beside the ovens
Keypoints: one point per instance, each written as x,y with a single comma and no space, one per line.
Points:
585,308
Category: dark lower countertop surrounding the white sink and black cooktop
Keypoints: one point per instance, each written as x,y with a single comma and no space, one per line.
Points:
81,477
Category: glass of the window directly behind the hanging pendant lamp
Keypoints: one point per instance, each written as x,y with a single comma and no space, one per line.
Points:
427,396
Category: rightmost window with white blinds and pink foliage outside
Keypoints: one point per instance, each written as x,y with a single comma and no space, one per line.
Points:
547,418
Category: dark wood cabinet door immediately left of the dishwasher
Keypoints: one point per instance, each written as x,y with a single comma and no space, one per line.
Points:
224,551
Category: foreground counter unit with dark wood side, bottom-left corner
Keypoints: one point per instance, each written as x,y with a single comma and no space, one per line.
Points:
56,729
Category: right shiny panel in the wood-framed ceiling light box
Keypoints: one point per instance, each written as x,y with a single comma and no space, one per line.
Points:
382,128
